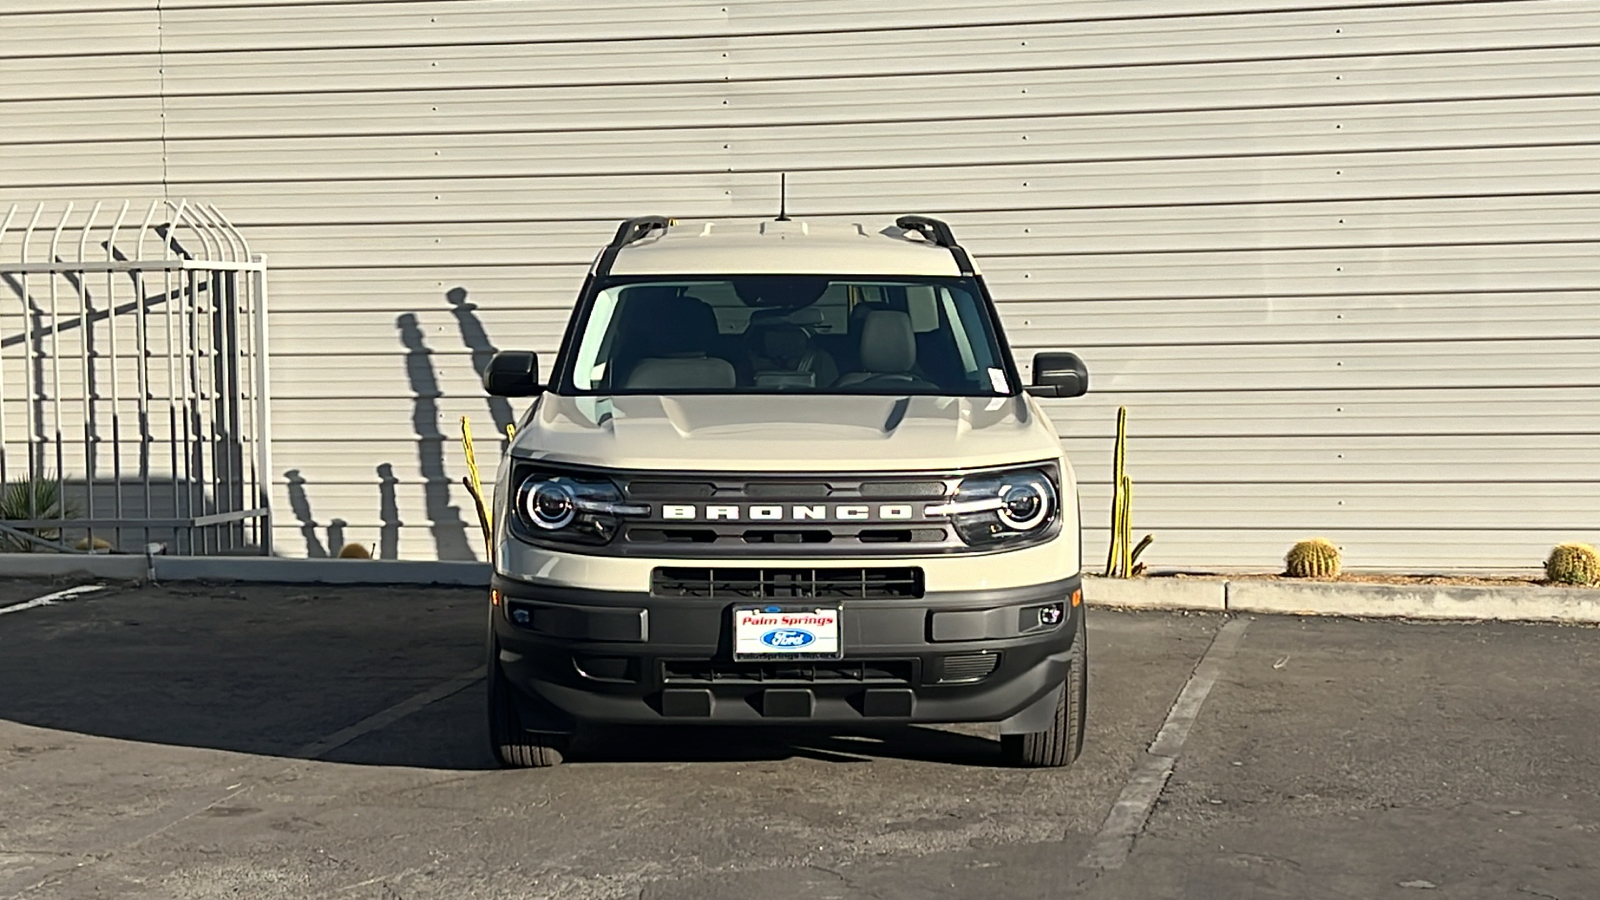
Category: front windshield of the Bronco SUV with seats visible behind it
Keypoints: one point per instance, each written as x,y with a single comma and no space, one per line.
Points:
790,334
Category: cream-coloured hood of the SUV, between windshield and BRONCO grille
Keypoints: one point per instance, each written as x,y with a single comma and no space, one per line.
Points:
786,433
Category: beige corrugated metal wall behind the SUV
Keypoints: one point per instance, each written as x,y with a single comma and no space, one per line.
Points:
1340,263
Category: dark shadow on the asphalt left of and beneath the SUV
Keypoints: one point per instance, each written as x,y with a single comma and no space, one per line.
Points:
282,670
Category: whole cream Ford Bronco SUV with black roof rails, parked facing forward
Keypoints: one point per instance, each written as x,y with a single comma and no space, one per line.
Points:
786,475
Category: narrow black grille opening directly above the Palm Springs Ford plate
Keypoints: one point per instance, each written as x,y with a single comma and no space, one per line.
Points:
790,584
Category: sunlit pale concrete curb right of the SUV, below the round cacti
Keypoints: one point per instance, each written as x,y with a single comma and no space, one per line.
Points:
1350,598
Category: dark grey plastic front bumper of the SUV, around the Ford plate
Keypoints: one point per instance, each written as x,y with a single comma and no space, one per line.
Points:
625,657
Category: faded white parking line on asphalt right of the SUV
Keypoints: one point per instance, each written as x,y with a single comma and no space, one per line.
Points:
1150,776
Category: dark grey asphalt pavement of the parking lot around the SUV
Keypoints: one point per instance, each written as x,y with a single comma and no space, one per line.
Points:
276,742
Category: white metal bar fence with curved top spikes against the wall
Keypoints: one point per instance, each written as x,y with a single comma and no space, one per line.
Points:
134,380
